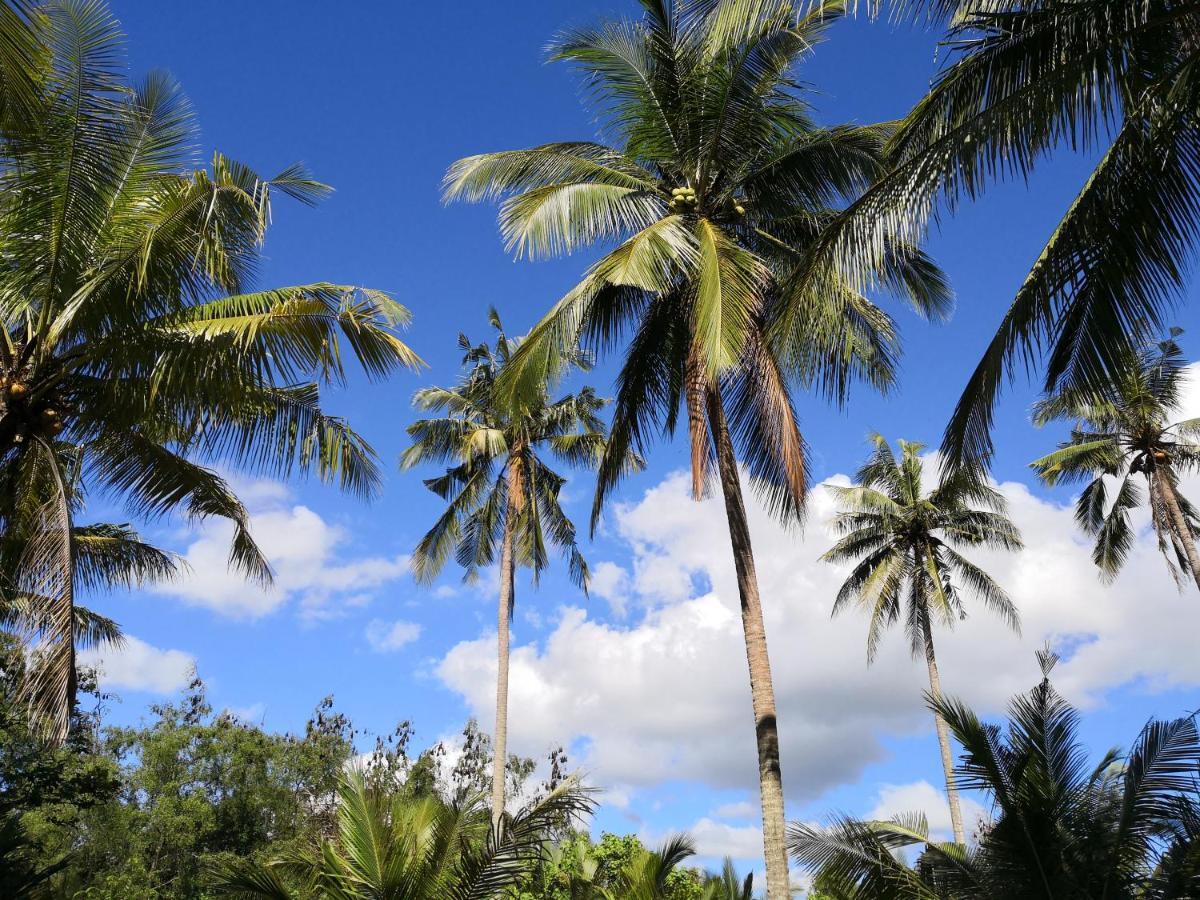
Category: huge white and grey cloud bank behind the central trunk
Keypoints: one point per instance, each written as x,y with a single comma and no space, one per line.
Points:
628,694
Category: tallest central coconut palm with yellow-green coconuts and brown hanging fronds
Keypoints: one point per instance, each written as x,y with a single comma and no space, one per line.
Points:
717,187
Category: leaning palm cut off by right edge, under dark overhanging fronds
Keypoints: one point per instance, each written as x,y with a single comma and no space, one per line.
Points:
1121,431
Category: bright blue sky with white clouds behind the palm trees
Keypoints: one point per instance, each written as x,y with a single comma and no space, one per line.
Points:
379,103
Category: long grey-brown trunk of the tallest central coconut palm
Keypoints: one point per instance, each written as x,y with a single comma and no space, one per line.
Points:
763,692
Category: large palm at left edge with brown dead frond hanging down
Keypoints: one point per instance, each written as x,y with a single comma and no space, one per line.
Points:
129,343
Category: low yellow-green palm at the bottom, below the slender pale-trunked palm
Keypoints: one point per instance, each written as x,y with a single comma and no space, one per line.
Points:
411,849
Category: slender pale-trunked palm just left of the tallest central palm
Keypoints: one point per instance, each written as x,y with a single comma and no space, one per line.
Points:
500,489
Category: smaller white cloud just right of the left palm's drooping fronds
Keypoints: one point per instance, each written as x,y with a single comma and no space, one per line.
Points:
303,549
